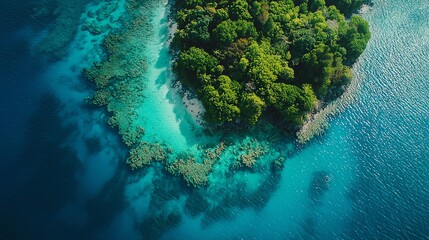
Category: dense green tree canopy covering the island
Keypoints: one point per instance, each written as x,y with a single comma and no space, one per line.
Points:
246,58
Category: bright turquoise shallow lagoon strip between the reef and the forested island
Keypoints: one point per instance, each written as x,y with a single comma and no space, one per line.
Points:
164,117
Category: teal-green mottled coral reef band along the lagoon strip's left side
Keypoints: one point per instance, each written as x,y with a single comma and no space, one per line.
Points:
119,79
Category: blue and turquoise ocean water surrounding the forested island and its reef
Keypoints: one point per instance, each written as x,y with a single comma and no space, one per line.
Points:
63,172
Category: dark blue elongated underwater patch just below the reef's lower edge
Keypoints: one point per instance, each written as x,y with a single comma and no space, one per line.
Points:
166,207
